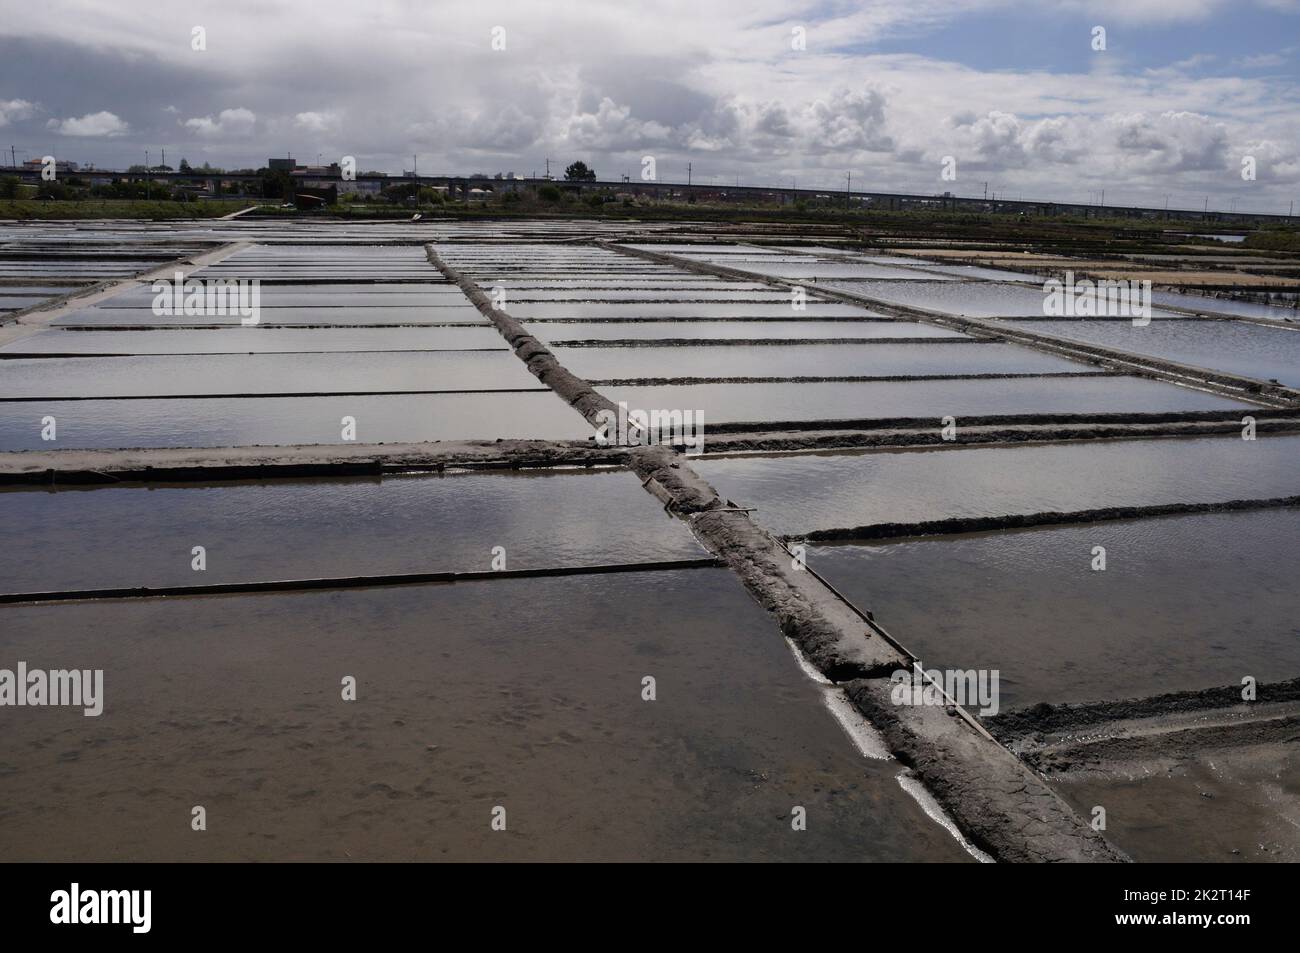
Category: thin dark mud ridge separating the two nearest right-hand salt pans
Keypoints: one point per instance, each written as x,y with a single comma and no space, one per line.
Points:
981,525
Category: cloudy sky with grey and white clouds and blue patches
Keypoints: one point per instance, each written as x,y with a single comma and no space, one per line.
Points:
1015,92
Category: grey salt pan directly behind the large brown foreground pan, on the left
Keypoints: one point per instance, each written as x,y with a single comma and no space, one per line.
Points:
304,530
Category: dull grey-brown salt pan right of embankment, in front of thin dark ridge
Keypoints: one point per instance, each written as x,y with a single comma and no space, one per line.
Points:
1186,603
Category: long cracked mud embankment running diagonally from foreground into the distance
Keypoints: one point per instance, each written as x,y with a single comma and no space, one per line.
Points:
996,802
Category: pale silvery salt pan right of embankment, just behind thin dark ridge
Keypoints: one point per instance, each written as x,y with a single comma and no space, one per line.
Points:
801,493
